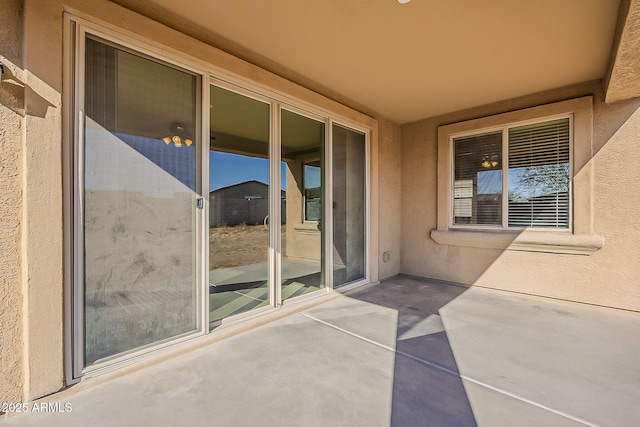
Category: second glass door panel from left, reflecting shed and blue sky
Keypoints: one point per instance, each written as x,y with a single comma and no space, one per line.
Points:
238,204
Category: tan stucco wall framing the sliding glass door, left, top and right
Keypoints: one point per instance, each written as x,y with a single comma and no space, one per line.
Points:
35,154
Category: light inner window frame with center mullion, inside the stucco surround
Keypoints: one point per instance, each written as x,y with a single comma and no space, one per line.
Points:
504,204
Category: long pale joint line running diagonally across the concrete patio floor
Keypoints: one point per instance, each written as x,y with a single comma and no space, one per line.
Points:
454,373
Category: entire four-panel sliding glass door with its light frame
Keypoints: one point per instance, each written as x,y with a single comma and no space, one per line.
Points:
177,226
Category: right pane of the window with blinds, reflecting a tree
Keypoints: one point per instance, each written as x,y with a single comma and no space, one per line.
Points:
539,174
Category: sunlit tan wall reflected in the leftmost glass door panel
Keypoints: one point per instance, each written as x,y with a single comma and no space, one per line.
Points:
139,246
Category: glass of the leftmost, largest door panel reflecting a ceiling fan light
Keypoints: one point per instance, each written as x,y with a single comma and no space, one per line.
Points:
138,201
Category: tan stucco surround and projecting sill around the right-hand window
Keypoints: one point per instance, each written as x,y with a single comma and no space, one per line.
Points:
579,239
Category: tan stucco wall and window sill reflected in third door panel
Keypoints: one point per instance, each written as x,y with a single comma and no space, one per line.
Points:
302,239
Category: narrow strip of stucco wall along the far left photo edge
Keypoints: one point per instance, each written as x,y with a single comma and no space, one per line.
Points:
11,111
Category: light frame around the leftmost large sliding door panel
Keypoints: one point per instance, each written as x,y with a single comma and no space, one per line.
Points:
79,29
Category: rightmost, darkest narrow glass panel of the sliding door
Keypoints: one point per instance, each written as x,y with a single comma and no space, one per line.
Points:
349,205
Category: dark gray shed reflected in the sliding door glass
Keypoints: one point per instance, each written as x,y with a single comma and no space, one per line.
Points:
246,202
